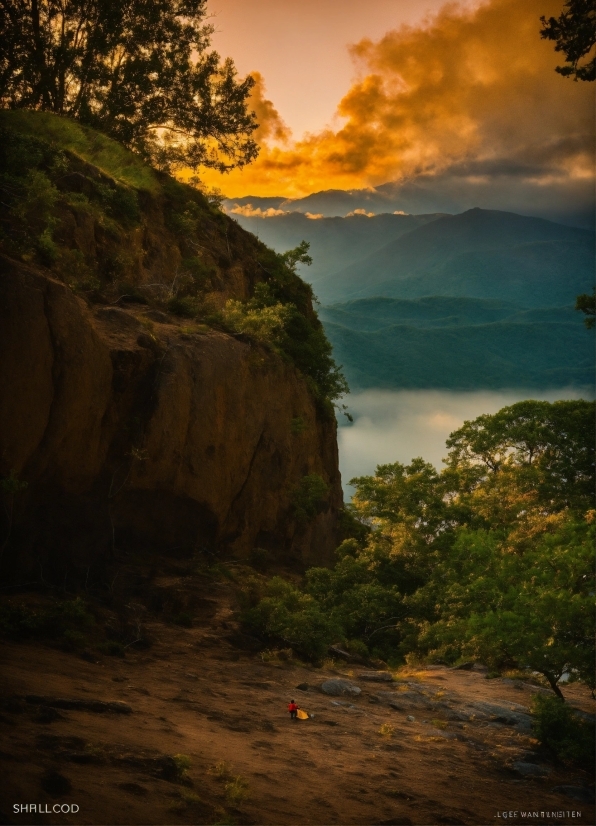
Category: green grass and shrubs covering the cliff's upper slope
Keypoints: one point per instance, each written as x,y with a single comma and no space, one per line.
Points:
113,229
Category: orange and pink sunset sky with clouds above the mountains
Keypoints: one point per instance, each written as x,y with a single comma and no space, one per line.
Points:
353,95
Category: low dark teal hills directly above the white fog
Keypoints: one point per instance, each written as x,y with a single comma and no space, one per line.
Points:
459,344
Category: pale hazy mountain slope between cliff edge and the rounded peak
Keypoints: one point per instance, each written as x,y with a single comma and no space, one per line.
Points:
335,242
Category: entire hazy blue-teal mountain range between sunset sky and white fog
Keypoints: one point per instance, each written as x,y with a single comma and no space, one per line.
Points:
483,299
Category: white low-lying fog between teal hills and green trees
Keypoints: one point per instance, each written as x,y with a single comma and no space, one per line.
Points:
398,425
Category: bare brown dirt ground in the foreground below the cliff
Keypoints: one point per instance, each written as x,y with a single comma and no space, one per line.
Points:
196,693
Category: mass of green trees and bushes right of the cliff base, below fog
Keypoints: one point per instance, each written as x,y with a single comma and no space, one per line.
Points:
492,558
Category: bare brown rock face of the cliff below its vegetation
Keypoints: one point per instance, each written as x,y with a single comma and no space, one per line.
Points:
132,433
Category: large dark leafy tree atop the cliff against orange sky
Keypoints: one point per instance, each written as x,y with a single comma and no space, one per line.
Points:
139,70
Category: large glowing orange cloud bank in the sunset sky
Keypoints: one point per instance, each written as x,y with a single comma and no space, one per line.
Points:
472,89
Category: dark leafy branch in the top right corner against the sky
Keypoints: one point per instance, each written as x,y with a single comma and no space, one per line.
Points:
574,32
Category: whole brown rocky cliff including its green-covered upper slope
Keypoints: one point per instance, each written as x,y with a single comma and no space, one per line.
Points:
132,427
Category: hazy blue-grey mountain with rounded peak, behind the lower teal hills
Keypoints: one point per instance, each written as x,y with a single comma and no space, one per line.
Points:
481,254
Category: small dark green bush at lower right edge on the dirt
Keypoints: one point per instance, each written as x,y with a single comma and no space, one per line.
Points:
559,729
